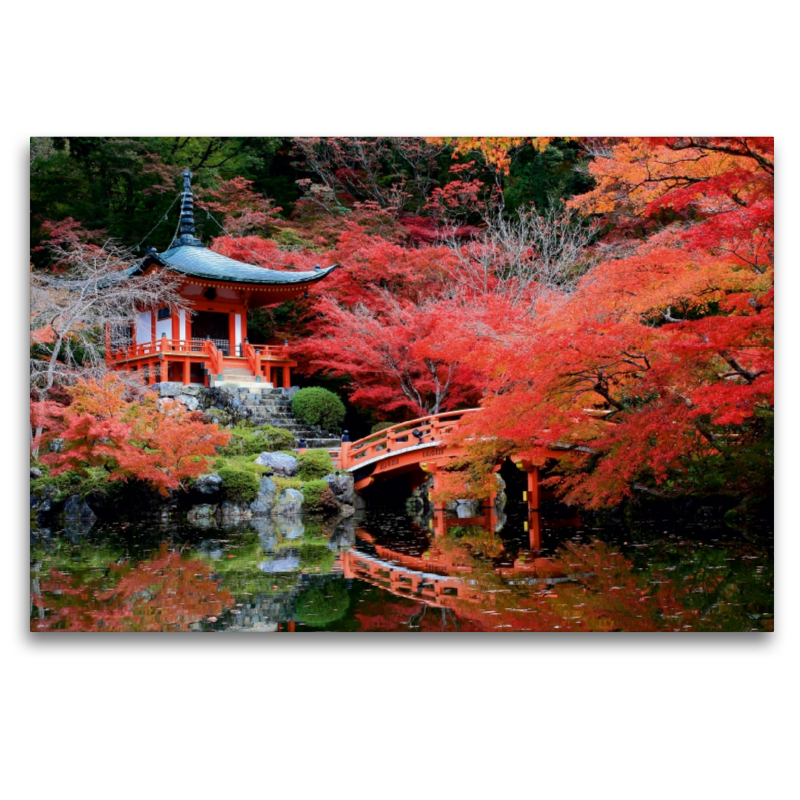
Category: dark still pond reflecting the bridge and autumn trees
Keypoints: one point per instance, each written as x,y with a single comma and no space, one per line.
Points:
390,570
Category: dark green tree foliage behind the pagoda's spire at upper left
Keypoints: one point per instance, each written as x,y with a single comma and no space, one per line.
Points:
124,185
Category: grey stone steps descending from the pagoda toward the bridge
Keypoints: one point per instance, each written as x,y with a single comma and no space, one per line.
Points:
263,405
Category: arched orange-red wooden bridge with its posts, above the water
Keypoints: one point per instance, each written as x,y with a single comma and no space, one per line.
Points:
424,445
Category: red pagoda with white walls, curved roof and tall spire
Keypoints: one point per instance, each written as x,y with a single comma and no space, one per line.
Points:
208,344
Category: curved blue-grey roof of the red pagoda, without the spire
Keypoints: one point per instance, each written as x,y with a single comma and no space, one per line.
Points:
197,261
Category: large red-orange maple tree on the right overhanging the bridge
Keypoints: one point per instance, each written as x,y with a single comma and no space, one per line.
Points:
661,361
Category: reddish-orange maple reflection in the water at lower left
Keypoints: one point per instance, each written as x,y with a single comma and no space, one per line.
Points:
166,593
